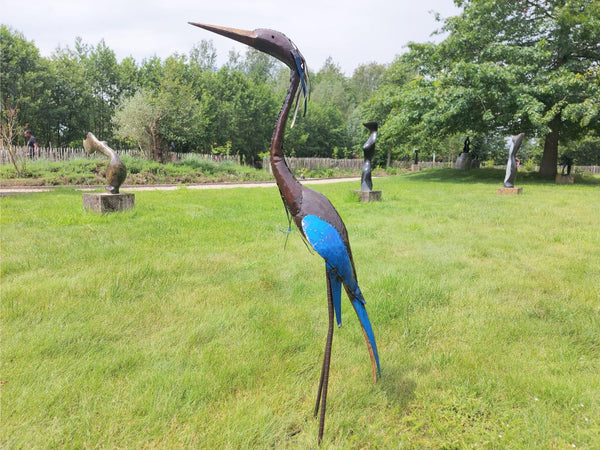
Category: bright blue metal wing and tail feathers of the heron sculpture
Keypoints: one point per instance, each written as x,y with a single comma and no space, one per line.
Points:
328,243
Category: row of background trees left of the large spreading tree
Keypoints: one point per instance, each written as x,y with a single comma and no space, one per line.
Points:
183,103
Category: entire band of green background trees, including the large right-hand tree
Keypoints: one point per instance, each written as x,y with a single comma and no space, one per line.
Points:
504,67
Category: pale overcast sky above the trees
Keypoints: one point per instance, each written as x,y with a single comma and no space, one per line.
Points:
352,32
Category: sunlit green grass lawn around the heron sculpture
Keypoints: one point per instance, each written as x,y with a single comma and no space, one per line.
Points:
188,322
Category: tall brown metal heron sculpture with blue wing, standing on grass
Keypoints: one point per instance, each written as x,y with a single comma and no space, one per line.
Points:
313,214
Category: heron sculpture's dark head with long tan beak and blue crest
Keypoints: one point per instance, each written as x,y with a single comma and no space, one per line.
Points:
271,42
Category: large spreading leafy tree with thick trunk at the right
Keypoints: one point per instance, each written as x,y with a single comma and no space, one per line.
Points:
509,66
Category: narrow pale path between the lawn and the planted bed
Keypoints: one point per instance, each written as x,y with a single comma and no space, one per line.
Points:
165,187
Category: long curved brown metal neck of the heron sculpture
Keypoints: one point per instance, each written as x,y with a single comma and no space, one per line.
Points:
290,188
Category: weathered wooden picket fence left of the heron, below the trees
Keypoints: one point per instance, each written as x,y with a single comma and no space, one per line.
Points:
65,154
